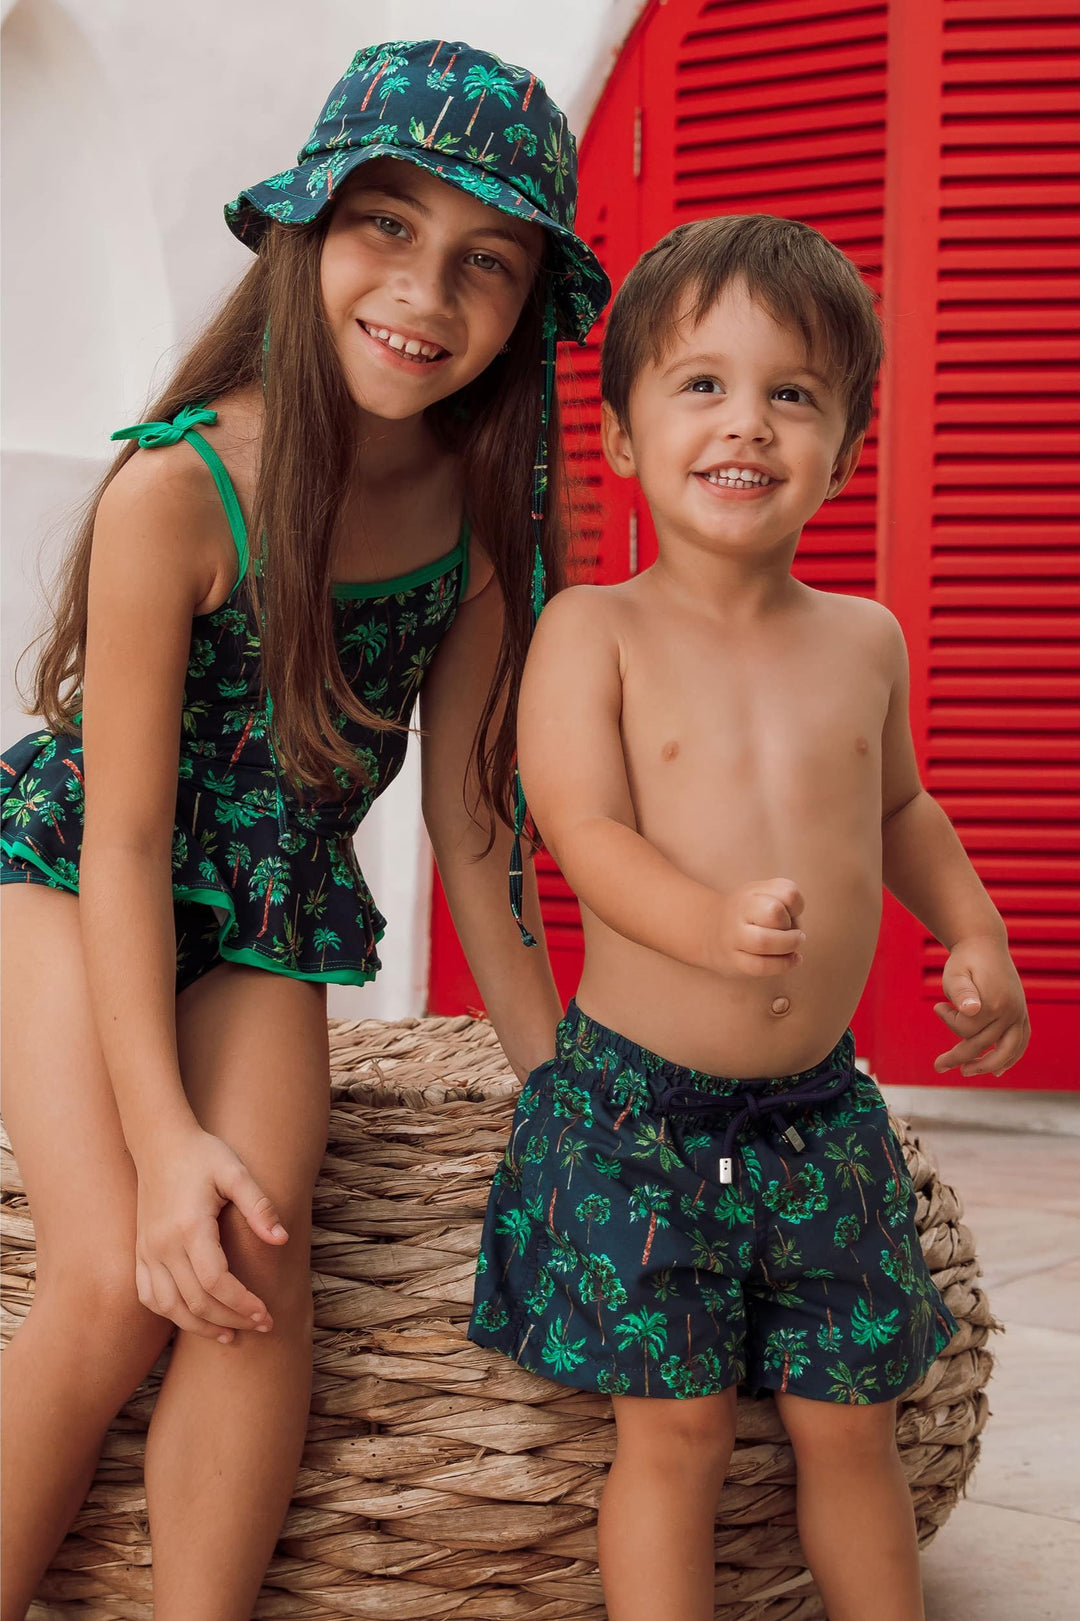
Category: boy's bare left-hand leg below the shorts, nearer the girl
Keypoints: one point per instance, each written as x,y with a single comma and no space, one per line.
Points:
659,1507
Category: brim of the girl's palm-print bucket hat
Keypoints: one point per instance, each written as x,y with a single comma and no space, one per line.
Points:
298,197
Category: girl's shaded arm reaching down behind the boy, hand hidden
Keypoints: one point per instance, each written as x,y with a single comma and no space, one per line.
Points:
515,982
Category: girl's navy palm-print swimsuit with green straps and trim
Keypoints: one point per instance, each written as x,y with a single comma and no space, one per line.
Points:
260,876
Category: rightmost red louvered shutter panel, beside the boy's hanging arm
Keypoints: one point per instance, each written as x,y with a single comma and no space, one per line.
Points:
980,497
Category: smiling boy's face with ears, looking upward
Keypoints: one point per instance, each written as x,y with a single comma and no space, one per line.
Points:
734,437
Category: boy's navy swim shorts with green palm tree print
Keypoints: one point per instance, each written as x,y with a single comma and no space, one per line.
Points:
617,1257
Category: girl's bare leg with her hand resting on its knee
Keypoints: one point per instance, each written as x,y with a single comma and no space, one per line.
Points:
226,1439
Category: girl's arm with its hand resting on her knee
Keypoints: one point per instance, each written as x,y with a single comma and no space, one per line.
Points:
156,562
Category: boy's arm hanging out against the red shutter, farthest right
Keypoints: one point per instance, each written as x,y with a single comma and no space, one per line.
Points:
927,868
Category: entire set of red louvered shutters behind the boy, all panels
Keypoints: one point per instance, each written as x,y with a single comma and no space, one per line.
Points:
966,195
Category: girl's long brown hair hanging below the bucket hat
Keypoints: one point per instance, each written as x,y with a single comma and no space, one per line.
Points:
306,469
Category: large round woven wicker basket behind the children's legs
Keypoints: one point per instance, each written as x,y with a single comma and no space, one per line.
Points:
440,1481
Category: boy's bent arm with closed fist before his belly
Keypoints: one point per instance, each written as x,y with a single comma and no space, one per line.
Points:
575,779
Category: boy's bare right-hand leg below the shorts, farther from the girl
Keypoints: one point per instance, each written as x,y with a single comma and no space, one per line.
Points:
855,1510
